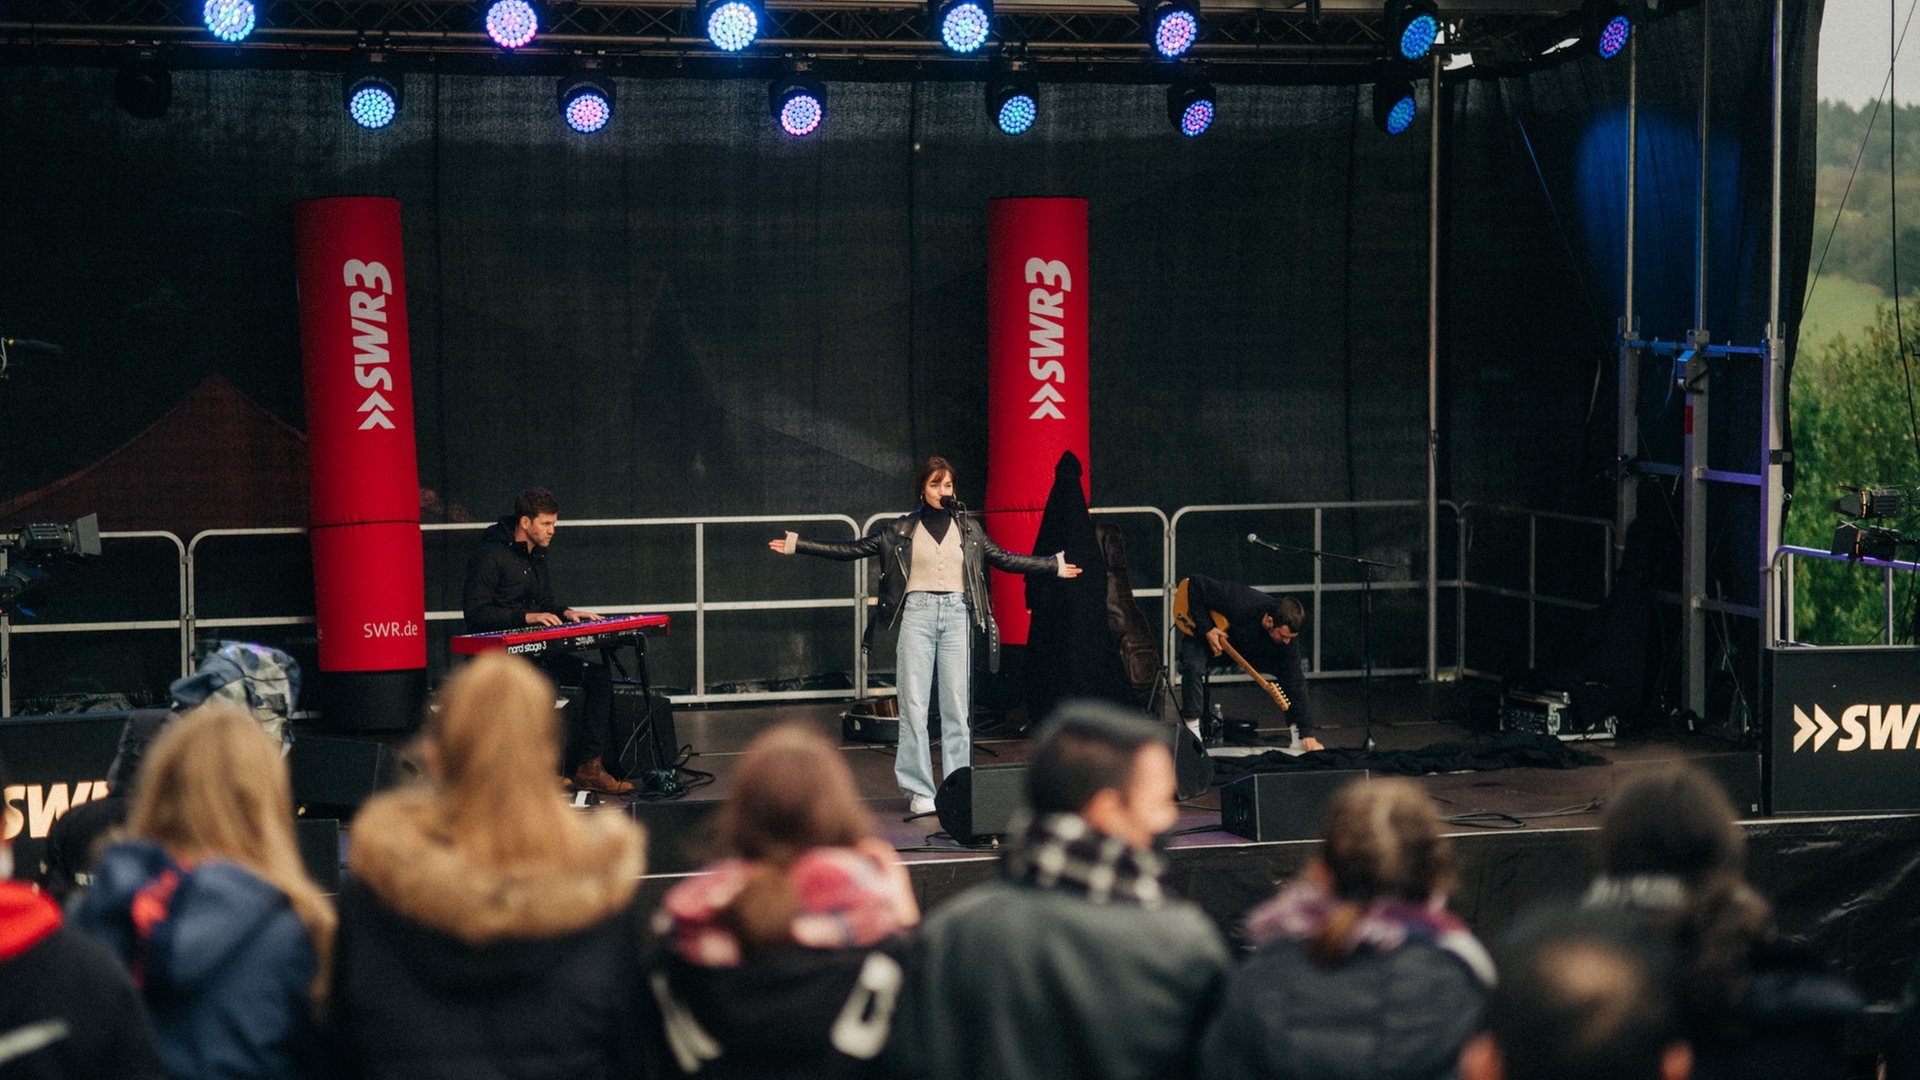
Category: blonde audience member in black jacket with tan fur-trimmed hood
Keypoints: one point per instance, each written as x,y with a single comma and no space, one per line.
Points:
489,929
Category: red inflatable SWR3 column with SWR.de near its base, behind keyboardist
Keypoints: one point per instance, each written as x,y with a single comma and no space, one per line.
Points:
366,504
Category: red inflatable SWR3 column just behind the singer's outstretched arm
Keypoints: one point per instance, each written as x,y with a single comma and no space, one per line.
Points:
1036,374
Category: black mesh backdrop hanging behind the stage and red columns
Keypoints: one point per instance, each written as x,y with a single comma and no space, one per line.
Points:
692,314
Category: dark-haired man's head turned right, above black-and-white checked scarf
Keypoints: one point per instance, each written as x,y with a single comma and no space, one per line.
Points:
1107,766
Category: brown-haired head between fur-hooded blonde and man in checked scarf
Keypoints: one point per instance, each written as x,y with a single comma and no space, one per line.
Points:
792,793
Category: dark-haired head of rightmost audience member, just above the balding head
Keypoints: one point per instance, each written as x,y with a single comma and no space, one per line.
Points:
1675,822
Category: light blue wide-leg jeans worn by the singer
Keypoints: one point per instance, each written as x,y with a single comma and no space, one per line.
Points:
936,641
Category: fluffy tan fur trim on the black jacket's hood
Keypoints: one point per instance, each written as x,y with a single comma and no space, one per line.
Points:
404,856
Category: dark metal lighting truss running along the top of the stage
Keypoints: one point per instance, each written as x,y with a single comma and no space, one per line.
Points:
1297,41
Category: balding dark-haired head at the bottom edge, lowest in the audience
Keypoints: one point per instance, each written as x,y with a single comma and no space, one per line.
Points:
1579,998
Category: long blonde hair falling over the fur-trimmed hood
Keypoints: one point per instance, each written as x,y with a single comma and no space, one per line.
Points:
498,743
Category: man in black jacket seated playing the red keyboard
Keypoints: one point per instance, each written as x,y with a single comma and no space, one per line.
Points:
510,587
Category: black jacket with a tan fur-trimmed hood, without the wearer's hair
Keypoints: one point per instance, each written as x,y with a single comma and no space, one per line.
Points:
446,968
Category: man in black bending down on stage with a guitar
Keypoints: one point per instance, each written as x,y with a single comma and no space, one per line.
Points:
1266,633
